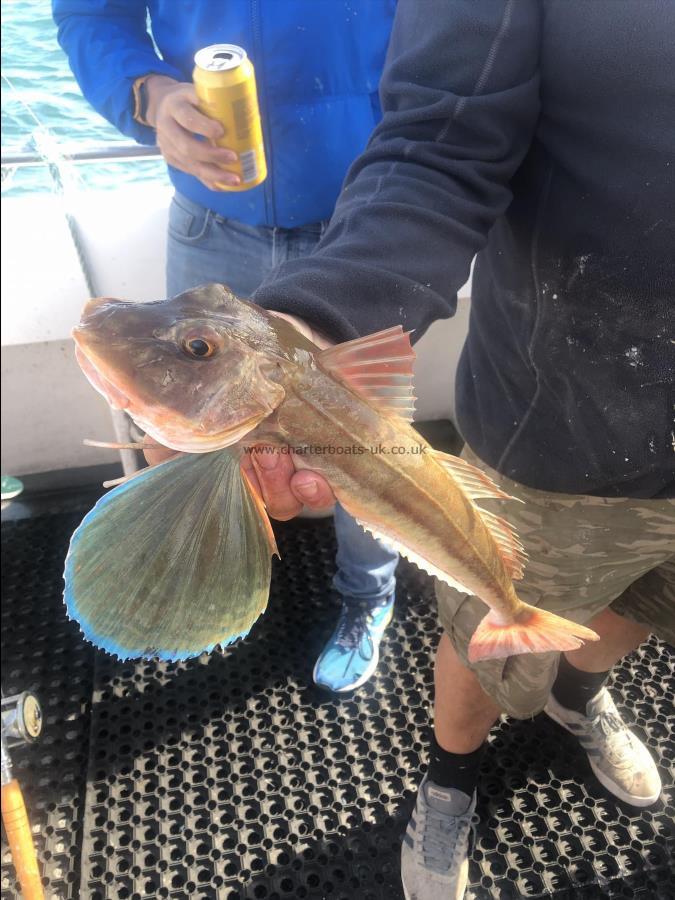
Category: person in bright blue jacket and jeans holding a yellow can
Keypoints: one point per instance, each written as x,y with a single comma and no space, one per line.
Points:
318,68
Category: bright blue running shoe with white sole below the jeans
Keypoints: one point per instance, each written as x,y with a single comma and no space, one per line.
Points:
351,655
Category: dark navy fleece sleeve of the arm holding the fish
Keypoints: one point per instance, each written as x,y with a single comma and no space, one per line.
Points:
460,99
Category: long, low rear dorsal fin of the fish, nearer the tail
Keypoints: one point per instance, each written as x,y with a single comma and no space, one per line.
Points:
478,485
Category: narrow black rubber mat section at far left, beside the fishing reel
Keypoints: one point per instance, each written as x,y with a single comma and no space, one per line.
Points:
43,652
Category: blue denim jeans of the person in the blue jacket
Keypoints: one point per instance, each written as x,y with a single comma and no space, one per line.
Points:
204,247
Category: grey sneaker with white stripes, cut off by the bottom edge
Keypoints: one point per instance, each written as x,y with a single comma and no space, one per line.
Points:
435,850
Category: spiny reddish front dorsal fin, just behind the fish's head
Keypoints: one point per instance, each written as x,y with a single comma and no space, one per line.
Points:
379,367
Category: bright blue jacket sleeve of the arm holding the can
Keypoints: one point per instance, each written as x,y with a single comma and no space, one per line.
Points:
108,48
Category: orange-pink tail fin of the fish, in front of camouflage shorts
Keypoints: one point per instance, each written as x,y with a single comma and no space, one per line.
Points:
535,631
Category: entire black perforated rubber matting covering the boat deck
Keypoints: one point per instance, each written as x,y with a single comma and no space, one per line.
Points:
231,776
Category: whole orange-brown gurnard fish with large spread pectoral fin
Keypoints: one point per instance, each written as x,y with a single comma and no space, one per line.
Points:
177,560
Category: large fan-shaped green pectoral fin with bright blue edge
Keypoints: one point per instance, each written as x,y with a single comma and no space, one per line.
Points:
172,563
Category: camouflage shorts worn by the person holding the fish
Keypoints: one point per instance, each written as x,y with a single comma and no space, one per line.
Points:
585,554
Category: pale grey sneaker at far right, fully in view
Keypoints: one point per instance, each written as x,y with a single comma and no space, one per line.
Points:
620,761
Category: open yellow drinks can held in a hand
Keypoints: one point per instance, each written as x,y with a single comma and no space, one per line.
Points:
225,84
